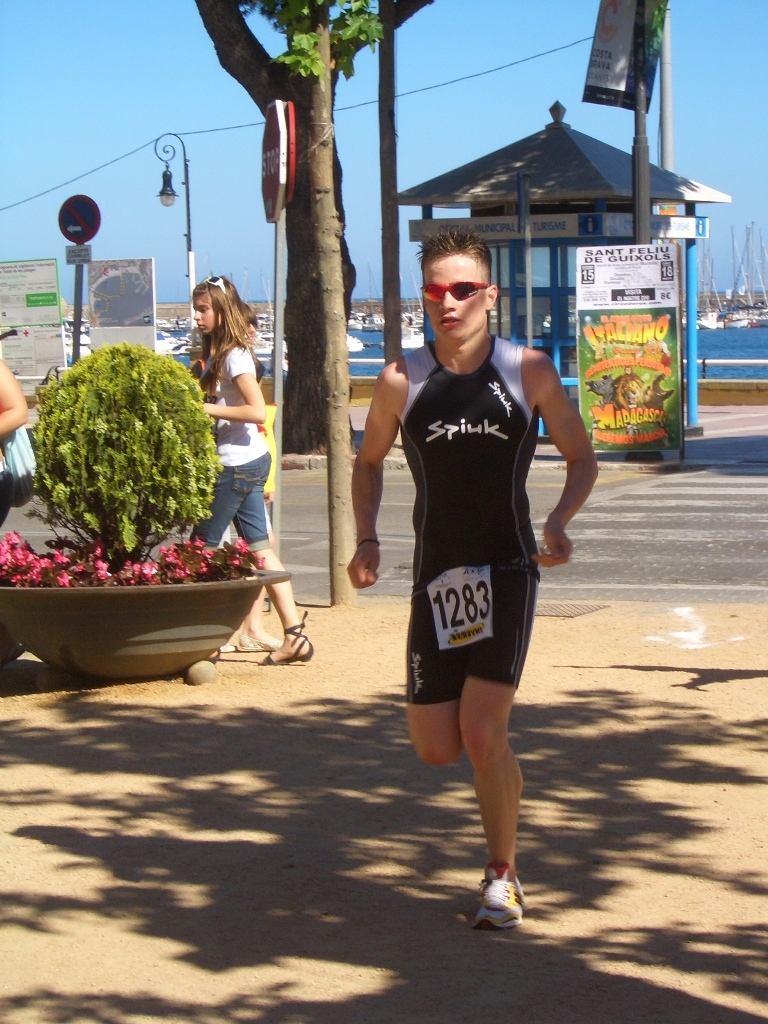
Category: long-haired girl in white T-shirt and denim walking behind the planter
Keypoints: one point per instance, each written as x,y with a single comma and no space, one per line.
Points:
236,403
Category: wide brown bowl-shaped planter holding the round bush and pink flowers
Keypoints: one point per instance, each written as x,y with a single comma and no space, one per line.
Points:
130,632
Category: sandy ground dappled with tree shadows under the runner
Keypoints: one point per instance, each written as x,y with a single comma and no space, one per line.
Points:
270,849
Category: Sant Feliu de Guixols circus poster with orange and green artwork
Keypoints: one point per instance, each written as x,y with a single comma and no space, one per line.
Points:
628,308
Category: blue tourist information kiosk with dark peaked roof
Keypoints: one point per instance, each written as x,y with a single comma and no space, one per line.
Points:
581,194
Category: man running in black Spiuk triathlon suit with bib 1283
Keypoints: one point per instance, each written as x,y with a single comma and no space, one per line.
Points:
468,409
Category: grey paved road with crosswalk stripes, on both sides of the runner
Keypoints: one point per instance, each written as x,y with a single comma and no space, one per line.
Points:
691,537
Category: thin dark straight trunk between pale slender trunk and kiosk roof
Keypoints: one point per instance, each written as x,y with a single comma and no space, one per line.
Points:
391,231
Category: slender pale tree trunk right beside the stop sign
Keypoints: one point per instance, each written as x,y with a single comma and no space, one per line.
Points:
328,234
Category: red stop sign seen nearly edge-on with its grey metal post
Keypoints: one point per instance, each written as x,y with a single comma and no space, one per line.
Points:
278,178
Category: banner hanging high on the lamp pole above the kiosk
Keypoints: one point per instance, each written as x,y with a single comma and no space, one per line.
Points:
611,76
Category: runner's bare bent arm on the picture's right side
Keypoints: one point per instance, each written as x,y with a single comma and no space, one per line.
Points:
544,390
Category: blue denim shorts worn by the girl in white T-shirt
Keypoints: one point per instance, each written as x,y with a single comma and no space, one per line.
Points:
239,498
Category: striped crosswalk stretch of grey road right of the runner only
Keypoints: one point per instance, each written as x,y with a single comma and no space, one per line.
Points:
688,538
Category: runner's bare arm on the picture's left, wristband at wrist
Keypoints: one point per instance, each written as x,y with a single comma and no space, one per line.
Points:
382,425
